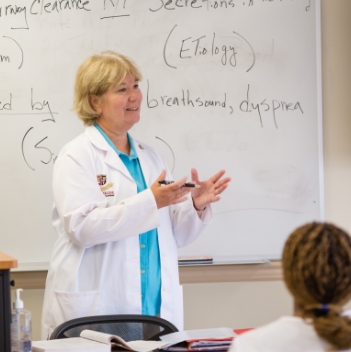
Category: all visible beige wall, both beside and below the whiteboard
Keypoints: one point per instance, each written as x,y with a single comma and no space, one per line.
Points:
250,304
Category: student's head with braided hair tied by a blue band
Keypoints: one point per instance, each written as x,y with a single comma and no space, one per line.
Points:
317,271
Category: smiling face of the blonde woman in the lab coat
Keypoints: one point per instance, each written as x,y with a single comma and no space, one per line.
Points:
119,107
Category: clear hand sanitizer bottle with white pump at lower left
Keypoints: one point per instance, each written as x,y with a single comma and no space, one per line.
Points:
21,326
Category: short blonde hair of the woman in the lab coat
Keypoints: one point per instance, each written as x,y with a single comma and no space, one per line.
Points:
95,76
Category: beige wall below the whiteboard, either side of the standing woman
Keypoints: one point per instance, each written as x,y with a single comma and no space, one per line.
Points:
230,304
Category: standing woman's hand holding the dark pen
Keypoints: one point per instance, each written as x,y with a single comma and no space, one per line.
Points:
169,194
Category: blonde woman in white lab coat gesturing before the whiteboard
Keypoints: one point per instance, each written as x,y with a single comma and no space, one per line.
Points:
118,227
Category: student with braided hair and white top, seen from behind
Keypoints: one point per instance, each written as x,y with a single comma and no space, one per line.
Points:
317,272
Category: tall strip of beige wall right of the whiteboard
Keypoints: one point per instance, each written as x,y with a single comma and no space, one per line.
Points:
336,56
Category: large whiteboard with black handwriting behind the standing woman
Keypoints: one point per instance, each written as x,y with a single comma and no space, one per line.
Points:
227,84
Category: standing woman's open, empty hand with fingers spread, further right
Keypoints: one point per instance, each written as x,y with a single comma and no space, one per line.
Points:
209,190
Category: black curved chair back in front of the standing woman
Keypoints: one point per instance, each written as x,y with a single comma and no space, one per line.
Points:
130,327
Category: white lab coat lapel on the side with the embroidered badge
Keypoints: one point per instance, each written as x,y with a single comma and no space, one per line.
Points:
111,158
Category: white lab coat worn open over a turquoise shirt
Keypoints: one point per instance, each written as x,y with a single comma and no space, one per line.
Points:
95,267
